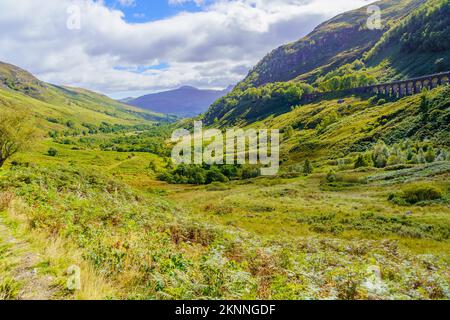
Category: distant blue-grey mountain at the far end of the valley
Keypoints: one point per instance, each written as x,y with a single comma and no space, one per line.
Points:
184,102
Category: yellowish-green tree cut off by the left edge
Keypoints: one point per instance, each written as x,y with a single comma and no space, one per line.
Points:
16,133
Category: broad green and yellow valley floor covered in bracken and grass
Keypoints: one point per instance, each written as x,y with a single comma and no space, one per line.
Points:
266,238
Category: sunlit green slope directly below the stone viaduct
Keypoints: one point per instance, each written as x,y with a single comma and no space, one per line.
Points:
337,128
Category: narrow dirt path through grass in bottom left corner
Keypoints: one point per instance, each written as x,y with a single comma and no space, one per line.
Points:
33,286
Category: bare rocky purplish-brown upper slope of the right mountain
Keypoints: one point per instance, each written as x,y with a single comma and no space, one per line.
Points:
332,44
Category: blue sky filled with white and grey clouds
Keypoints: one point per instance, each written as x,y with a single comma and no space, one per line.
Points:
128,48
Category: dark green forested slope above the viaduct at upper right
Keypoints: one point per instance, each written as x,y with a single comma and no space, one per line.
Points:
416,45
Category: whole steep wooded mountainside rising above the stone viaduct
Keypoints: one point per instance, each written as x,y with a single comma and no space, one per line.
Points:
339,54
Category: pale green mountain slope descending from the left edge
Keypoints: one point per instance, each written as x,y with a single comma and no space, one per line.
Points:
57,106
